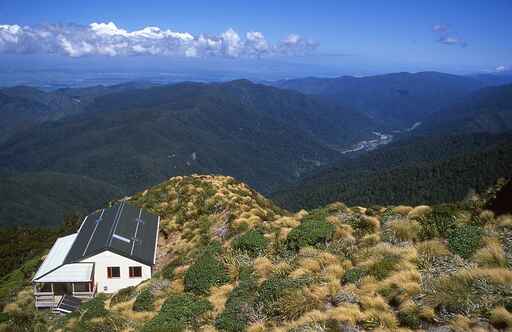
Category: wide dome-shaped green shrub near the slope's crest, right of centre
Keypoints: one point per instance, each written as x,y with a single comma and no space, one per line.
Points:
310,233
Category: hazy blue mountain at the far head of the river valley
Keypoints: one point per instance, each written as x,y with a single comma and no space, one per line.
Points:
395,100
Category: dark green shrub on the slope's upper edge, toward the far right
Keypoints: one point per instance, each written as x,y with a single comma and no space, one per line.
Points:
438,223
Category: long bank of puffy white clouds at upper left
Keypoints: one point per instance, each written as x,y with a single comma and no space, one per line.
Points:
108,39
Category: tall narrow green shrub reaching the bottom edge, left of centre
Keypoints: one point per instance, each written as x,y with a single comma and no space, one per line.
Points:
240,302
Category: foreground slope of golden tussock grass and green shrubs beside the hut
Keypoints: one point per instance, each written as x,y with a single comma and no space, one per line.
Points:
230,260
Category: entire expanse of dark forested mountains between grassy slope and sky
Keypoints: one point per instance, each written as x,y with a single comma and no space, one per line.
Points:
70,149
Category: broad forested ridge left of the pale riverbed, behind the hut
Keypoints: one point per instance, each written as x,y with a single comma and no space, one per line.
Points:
126,138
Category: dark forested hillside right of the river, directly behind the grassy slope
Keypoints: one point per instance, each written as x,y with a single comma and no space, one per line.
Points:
423,170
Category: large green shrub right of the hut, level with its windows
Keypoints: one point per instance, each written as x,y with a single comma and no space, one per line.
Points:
207,271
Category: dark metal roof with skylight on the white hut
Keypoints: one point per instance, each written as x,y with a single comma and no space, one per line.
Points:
123,229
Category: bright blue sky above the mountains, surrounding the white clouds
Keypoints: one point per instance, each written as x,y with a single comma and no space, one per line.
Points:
344,37
